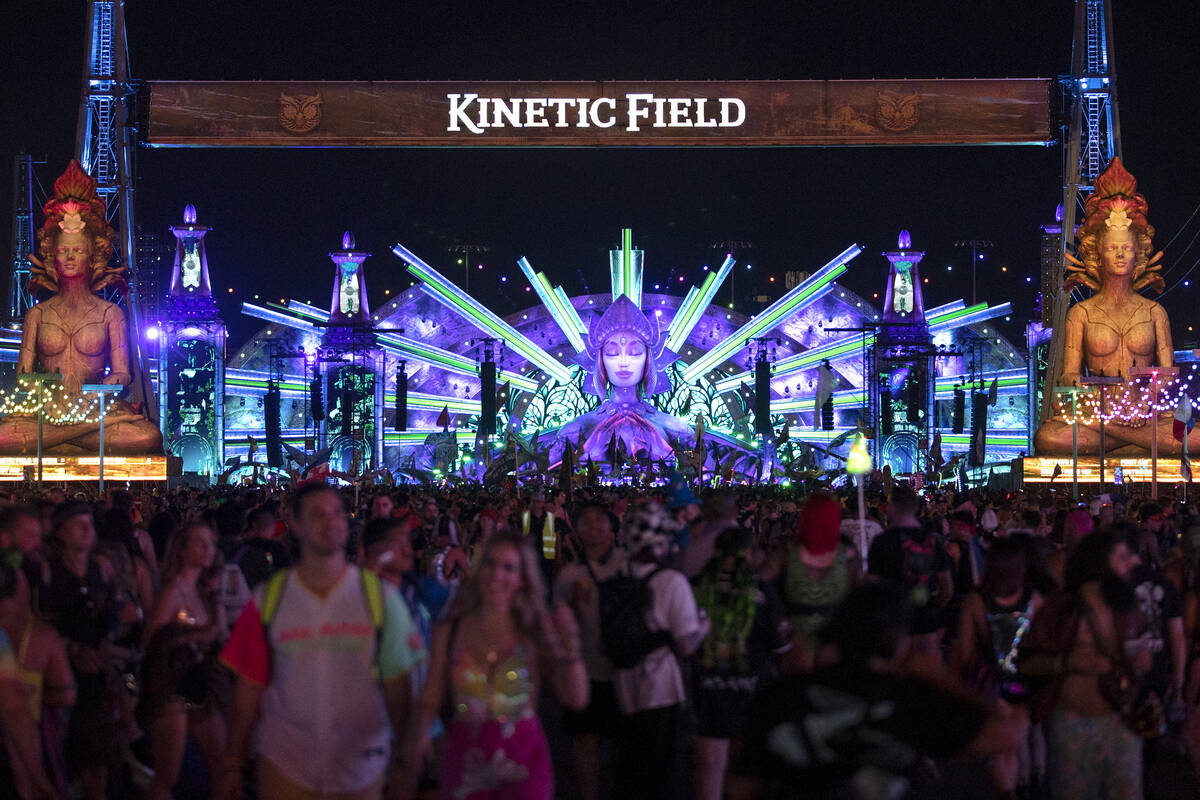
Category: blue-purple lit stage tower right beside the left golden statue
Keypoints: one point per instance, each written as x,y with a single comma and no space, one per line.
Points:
191,358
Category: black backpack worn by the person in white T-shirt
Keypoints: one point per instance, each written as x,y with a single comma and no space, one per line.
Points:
625,601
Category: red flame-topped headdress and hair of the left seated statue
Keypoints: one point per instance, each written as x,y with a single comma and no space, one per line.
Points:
76,208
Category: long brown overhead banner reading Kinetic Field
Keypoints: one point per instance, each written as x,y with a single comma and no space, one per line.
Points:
607,115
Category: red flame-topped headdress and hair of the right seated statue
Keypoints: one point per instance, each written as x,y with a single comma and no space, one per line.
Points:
1115,204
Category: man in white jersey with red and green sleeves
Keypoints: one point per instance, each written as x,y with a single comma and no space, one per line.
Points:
327,687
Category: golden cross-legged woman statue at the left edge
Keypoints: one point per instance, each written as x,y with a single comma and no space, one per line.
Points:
76,335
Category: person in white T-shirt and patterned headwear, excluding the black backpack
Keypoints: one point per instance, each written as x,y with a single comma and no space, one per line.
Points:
652,695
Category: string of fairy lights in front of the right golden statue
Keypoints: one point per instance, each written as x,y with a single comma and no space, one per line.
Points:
1132,402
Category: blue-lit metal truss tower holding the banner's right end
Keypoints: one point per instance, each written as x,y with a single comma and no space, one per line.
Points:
1091,142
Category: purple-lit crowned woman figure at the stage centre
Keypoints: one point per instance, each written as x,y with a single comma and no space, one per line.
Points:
626,346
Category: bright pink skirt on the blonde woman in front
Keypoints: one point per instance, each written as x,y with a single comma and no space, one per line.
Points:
495,761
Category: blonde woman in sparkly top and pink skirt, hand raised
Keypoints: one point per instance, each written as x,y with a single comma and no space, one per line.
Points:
490,659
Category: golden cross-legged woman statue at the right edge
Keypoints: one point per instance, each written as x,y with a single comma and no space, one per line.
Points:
1117,329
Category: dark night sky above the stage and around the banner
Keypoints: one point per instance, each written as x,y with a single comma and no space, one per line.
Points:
277,214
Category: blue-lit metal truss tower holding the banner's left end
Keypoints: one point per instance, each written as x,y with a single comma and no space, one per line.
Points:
105,148
